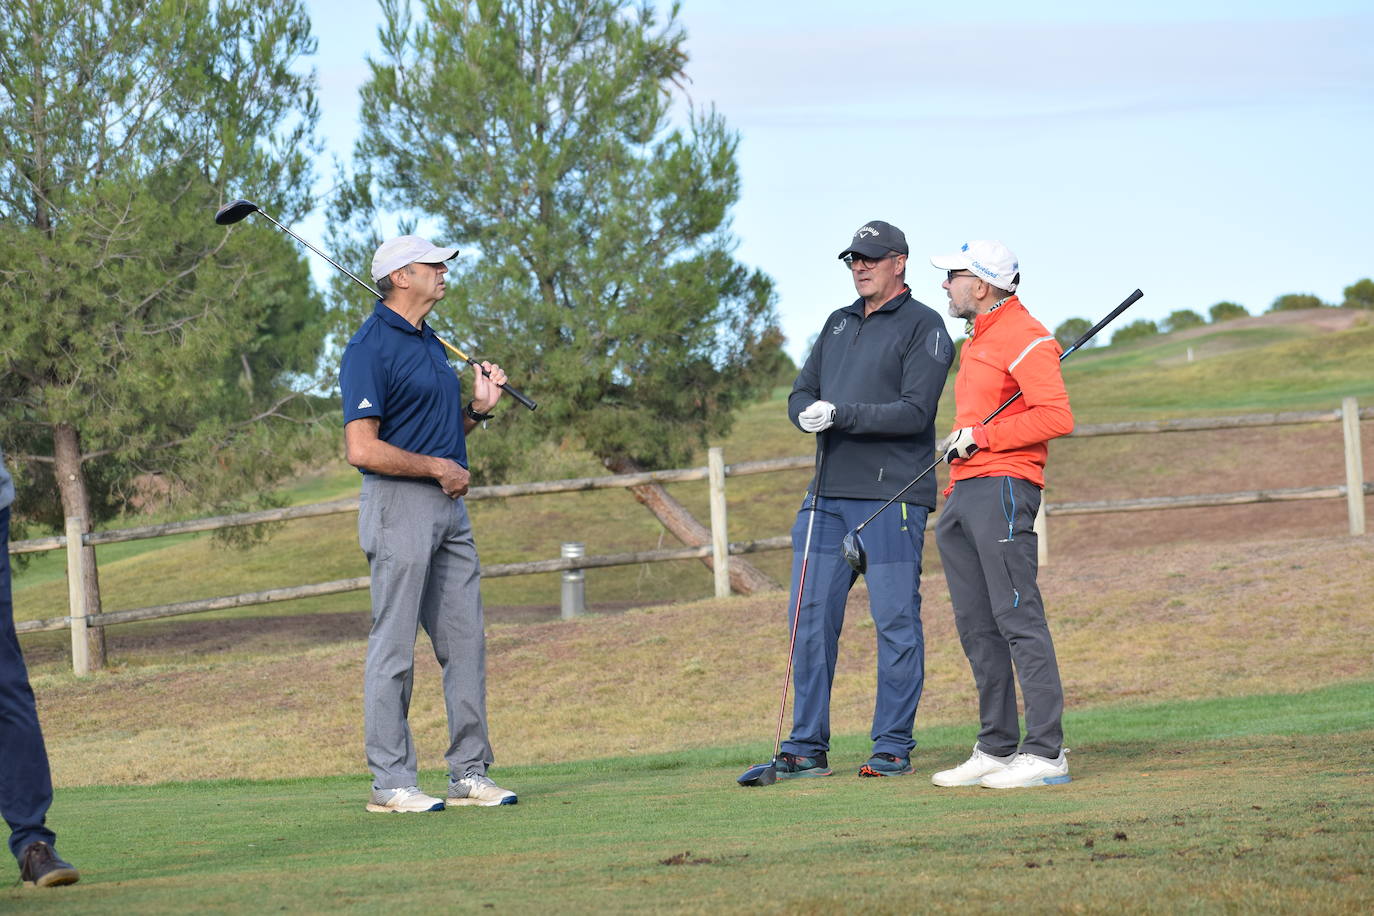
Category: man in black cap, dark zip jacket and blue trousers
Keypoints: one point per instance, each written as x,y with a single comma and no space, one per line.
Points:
869,391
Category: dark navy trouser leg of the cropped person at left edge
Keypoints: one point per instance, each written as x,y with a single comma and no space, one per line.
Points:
25,781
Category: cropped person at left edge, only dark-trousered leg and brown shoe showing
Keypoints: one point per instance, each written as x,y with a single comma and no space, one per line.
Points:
25,779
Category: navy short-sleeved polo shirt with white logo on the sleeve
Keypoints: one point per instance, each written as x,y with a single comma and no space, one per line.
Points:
401,374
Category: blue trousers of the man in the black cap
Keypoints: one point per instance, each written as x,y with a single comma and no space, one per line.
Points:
894,542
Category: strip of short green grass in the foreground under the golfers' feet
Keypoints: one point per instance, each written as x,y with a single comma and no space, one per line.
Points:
1239,805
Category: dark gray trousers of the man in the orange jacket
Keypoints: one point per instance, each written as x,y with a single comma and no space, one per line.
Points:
989,551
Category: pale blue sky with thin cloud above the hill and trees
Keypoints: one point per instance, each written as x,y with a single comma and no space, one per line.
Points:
1199,150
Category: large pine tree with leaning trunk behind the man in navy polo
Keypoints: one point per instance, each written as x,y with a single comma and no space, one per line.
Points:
539,137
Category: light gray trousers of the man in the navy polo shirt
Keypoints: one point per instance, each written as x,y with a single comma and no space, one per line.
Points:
425,573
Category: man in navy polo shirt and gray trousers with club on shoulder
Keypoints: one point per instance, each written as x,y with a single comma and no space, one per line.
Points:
406,428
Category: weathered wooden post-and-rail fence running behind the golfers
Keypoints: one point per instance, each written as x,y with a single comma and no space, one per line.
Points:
719,550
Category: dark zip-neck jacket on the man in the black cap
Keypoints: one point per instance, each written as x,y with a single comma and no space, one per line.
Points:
884,374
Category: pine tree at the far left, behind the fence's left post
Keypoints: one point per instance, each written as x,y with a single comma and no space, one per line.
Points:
138,340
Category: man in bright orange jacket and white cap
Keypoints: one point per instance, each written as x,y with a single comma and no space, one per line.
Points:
986,529
